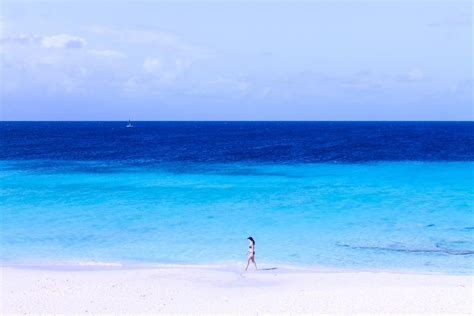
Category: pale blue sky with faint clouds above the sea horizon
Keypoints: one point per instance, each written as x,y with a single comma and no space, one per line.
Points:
236,60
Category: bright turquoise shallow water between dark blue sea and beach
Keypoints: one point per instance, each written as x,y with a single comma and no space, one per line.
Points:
414,216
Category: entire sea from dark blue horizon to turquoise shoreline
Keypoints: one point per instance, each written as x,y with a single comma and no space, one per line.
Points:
348,195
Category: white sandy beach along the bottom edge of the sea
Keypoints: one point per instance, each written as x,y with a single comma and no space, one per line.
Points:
208,290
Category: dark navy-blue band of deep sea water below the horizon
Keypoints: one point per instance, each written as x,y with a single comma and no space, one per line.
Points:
228,142
